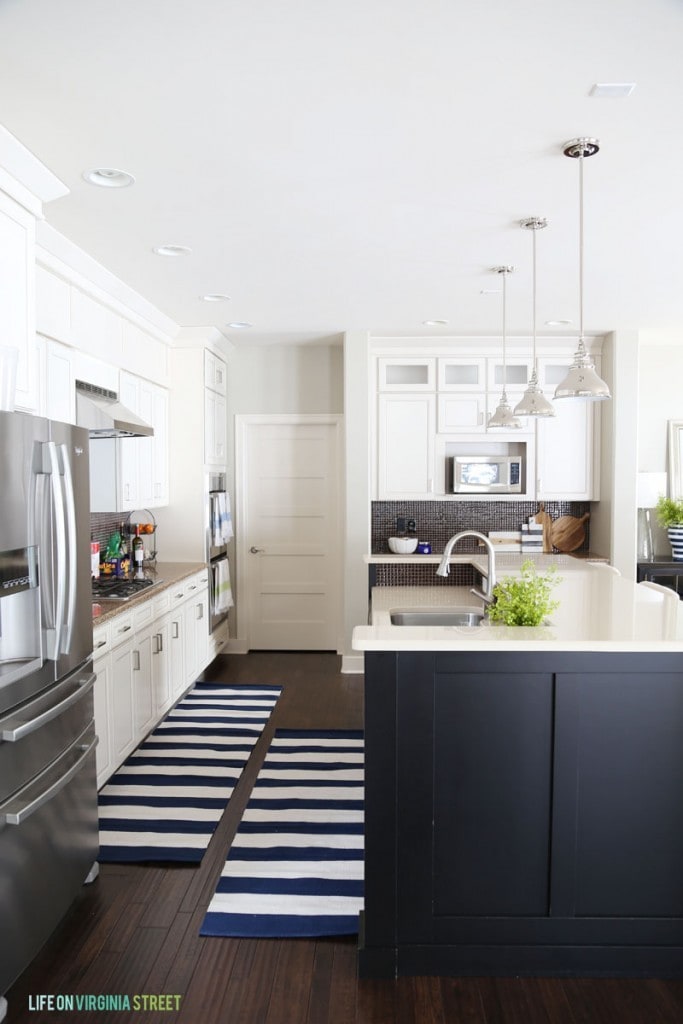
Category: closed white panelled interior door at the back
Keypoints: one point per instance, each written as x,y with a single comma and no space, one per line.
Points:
291,533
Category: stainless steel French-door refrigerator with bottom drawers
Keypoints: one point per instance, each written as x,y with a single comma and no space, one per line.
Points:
49,797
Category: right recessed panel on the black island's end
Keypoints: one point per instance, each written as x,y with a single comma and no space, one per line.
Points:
619,796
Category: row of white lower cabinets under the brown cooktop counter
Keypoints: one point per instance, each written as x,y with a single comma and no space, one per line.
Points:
146,660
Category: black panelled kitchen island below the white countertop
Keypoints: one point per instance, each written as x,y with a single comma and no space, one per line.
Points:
525,809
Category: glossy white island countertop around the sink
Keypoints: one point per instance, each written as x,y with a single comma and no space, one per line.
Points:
600,611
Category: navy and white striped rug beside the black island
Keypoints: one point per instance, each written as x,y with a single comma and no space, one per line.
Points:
296,866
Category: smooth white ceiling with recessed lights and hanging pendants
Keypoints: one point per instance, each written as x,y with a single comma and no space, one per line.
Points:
362,165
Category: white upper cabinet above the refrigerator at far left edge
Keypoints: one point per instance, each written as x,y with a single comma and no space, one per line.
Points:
18,297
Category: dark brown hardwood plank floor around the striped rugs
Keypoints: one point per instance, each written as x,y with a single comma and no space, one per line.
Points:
137,929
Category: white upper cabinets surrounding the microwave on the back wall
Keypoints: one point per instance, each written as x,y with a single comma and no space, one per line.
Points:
431,407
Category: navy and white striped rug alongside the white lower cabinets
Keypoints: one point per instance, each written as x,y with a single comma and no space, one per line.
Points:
166,800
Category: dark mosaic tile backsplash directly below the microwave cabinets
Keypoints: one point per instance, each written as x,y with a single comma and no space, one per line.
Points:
437,522
